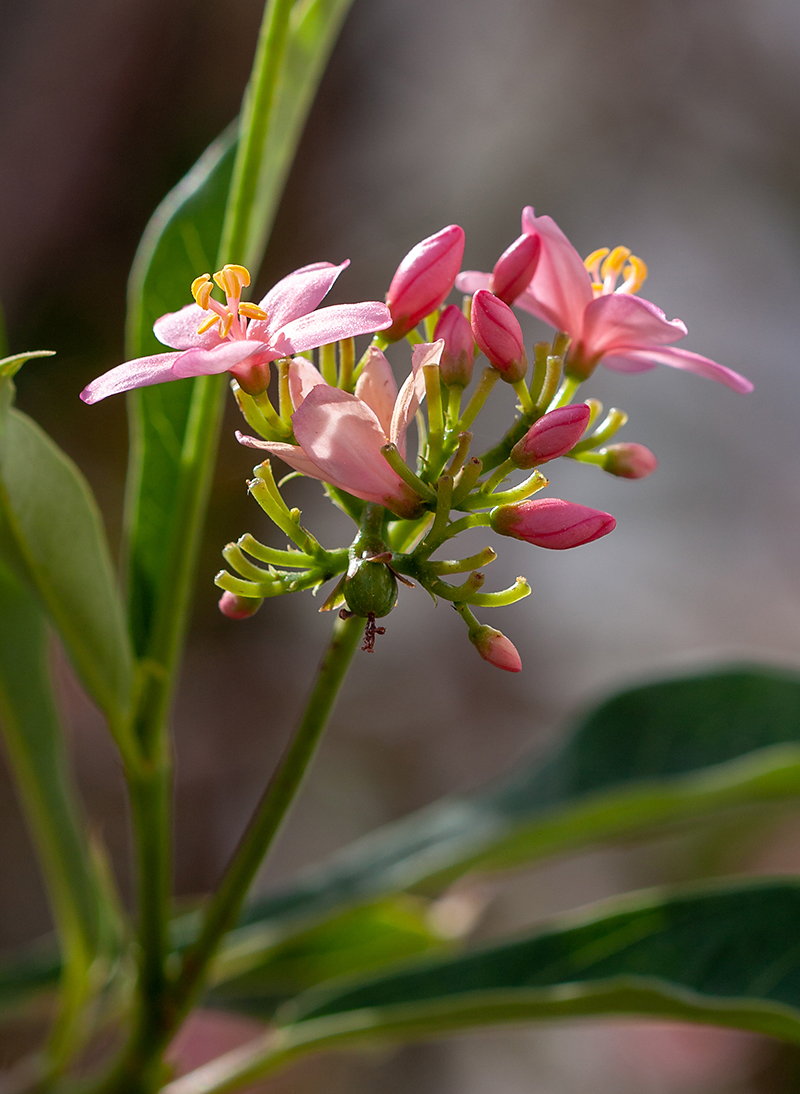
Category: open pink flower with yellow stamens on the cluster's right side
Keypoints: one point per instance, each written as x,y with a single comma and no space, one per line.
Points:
606,322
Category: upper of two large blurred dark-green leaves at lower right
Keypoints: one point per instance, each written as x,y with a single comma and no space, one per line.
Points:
655,757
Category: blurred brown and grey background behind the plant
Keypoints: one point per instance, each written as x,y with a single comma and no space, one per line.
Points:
670,126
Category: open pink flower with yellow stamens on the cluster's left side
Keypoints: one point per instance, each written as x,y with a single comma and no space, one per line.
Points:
240,337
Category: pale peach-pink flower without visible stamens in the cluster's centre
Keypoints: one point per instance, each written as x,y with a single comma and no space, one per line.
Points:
341,436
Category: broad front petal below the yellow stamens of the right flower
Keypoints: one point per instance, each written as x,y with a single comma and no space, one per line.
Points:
620,320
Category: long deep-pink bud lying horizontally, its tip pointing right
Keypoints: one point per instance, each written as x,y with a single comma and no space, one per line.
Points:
552,523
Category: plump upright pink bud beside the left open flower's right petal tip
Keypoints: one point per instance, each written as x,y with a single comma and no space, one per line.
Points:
424,280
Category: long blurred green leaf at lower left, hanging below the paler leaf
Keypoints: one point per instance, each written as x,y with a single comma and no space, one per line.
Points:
34,742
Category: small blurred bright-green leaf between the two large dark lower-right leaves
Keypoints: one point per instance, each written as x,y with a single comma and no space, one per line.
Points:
258,972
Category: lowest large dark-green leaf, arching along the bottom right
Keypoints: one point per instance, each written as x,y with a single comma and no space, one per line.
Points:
725,957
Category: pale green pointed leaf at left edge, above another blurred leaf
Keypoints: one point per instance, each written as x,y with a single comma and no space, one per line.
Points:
54,536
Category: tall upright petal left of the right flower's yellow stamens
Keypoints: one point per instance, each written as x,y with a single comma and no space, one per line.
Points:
562,288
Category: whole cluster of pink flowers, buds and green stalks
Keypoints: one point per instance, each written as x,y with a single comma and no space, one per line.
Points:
345,423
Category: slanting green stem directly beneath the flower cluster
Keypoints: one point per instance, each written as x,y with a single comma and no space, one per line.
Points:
225,905
